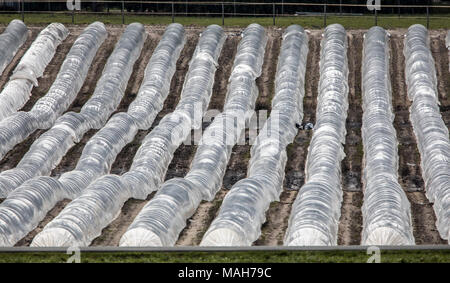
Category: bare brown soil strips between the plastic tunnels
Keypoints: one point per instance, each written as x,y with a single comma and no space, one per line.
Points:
273,230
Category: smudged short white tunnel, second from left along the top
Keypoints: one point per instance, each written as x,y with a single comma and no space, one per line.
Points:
31,67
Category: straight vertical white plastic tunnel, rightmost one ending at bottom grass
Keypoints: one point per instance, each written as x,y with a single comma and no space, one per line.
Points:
386,209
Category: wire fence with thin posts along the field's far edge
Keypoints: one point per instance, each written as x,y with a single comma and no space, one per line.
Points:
226,10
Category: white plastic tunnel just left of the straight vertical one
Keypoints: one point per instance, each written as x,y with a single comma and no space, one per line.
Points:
317,208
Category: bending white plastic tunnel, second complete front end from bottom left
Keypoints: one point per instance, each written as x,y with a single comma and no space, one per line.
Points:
162,219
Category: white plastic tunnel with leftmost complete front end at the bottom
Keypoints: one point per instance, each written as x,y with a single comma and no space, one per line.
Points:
84,218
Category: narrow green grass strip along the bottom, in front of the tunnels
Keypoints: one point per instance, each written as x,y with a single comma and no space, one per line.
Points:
420,256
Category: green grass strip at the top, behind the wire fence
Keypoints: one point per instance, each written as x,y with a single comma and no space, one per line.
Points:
354,22
